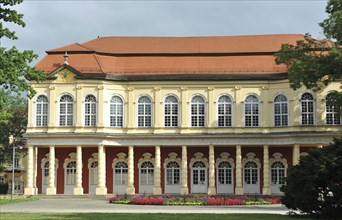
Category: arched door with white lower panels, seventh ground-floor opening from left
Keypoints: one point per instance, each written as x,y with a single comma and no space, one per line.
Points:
199,178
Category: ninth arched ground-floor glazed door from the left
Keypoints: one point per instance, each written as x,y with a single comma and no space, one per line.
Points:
251,178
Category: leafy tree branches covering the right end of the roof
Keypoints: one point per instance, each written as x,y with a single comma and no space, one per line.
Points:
316,63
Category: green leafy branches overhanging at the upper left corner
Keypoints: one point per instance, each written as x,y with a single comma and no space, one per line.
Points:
15,71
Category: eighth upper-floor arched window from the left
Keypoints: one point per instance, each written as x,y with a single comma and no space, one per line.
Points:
224,111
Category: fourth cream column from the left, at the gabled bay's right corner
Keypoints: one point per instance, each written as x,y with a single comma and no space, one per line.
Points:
101,178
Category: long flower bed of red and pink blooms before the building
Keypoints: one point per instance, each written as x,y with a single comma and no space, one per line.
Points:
193,200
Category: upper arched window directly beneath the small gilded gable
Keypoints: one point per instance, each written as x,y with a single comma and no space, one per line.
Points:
66,111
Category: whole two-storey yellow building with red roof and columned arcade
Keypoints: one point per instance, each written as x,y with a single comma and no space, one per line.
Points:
174,119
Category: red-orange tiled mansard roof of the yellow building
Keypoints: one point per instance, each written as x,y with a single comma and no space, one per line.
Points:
172,55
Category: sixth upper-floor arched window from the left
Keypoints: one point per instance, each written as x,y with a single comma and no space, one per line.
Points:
171,112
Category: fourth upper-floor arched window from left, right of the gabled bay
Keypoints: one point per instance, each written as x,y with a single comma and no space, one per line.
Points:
116,112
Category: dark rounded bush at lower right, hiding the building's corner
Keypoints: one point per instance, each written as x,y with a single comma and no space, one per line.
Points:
314,186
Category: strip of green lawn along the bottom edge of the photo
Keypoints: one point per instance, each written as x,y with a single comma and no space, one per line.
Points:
120,216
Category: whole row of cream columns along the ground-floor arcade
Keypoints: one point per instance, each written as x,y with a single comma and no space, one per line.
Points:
31,188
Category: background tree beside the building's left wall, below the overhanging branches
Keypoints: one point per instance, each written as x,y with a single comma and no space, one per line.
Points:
16,124
